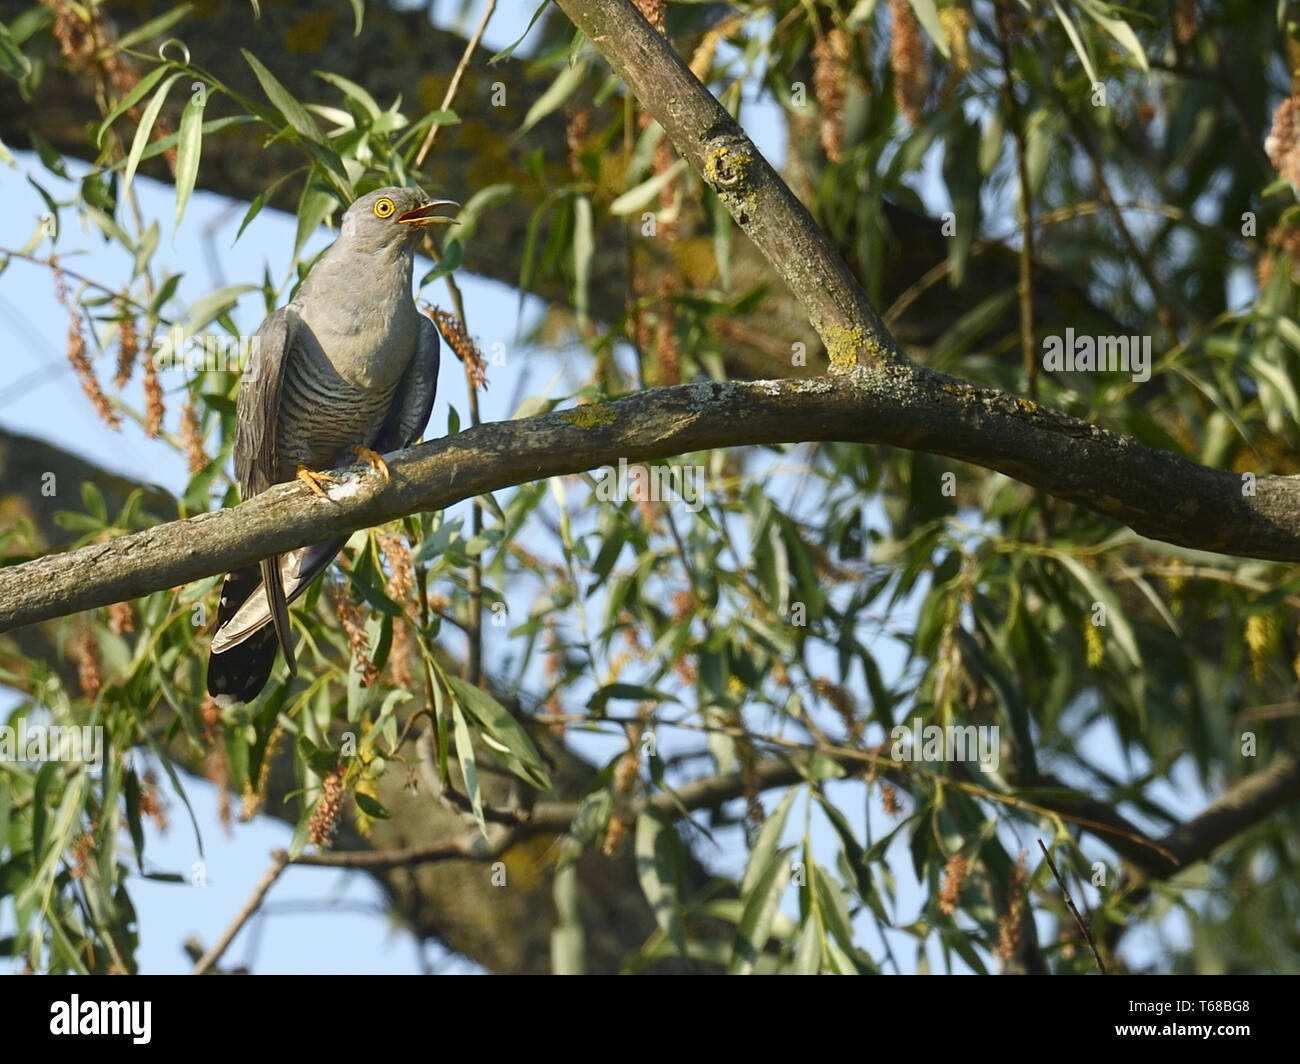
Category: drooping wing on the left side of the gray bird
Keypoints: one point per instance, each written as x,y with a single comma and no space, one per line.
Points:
257,447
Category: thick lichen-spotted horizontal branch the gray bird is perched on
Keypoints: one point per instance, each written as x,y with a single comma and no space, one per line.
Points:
1156,494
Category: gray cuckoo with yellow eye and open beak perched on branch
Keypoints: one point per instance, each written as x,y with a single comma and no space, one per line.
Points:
348,370
